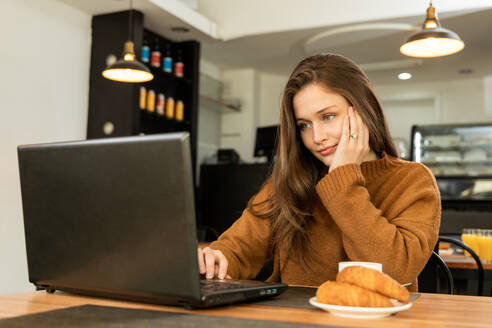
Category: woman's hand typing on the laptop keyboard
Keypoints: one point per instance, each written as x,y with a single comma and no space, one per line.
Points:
212,263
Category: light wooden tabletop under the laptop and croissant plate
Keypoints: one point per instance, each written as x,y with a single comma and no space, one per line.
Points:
429,310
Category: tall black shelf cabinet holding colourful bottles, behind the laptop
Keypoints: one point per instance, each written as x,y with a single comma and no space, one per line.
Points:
114,106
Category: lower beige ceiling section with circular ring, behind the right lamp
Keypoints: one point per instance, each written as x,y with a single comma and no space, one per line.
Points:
376,49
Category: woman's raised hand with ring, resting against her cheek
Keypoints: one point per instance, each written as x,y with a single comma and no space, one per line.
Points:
353,145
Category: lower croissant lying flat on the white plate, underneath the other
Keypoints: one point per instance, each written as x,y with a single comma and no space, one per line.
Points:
341,293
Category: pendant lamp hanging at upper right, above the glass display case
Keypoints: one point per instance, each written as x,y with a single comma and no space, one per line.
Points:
433,40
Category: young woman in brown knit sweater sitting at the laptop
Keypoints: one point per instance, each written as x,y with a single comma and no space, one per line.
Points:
337,191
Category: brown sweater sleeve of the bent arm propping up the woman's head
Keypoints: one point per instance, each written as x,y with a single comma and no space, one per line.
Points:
403,238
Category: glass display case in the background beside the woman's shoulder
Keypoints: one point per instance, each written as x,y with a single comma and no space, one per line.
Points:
459,155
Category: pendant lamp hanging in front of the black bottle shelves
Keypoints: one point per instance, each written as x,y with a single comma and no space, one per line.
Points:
128,69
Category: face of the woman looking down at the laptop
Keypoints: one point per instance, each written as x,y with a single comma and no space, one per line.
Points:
319,115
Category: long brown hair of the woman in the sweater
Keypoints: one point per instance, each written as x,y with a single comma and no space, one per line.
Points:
296,171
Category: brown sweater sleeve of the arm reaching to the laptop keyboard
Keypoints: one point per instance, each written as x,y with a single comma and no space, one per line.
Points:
246,243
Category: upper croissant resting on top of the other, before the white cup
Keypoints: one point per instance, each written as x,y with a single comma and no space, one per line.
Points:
375,281
